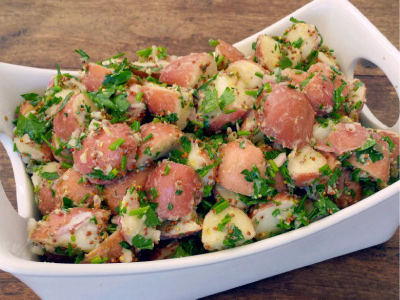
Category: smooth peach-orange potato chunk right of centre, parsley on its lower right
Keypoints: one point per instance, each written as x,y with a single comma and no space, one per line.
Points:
236,157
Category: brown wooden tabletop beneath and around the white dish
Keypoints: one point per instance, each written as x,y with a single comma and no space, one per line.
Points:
42,33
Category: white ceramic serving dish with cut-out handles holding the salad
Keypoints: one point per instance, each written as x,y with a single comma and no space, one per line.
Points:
367,223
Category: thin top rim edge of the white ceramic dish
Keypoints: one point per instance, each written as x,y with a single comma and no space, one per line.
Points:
20,266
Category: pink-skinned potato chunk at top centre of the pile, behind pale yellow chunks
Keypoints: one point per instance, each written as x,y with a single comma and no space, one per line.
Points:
189,71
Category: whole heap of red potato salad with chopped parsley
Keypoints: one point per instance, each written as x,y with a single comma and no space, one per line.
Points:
168,156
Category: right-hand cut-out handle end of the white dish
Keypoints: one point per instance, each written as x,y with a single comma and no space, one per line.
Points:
372,45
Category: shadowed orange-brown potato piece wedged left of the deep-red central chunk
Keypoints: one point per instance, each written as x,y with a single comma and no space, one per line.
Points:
114,193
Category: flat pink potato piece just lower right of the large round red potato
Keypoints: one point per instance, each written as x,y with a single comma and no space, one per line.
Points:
341,138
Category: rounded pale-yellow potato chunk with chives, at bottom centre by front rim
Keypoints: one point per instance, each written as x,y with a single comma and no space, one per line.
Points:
213,239
